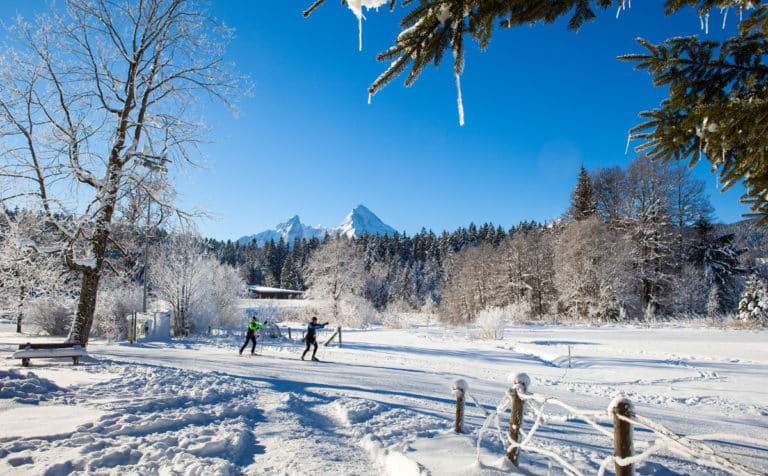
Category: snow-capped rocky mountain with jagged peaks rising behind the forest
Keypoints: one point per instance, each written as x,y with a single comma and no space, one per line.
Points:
360,221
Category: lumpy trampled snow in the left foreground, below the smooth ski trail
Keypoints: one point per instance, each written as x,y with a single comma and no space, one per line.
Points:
161,420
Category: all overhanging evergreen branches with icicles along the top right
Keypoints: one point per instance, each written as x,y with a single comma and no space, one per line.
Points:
718,98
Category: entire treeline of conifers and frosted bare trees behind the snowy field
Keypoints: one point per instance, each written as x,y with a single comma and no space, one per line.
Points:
635,244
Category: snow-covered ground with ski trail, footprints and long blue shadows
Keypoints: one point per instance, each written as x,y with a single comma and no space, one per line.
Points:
383,404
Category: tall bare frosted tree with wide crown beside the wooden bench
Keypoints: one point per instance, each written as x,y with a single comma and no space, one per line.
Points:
91,100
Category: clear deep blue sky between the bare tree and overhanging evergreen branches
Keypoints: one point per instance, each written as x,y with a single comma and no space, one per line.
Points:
539,102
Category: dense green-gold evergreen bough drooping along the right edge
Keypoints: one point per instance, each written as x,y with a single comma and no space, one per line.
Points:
717,105
